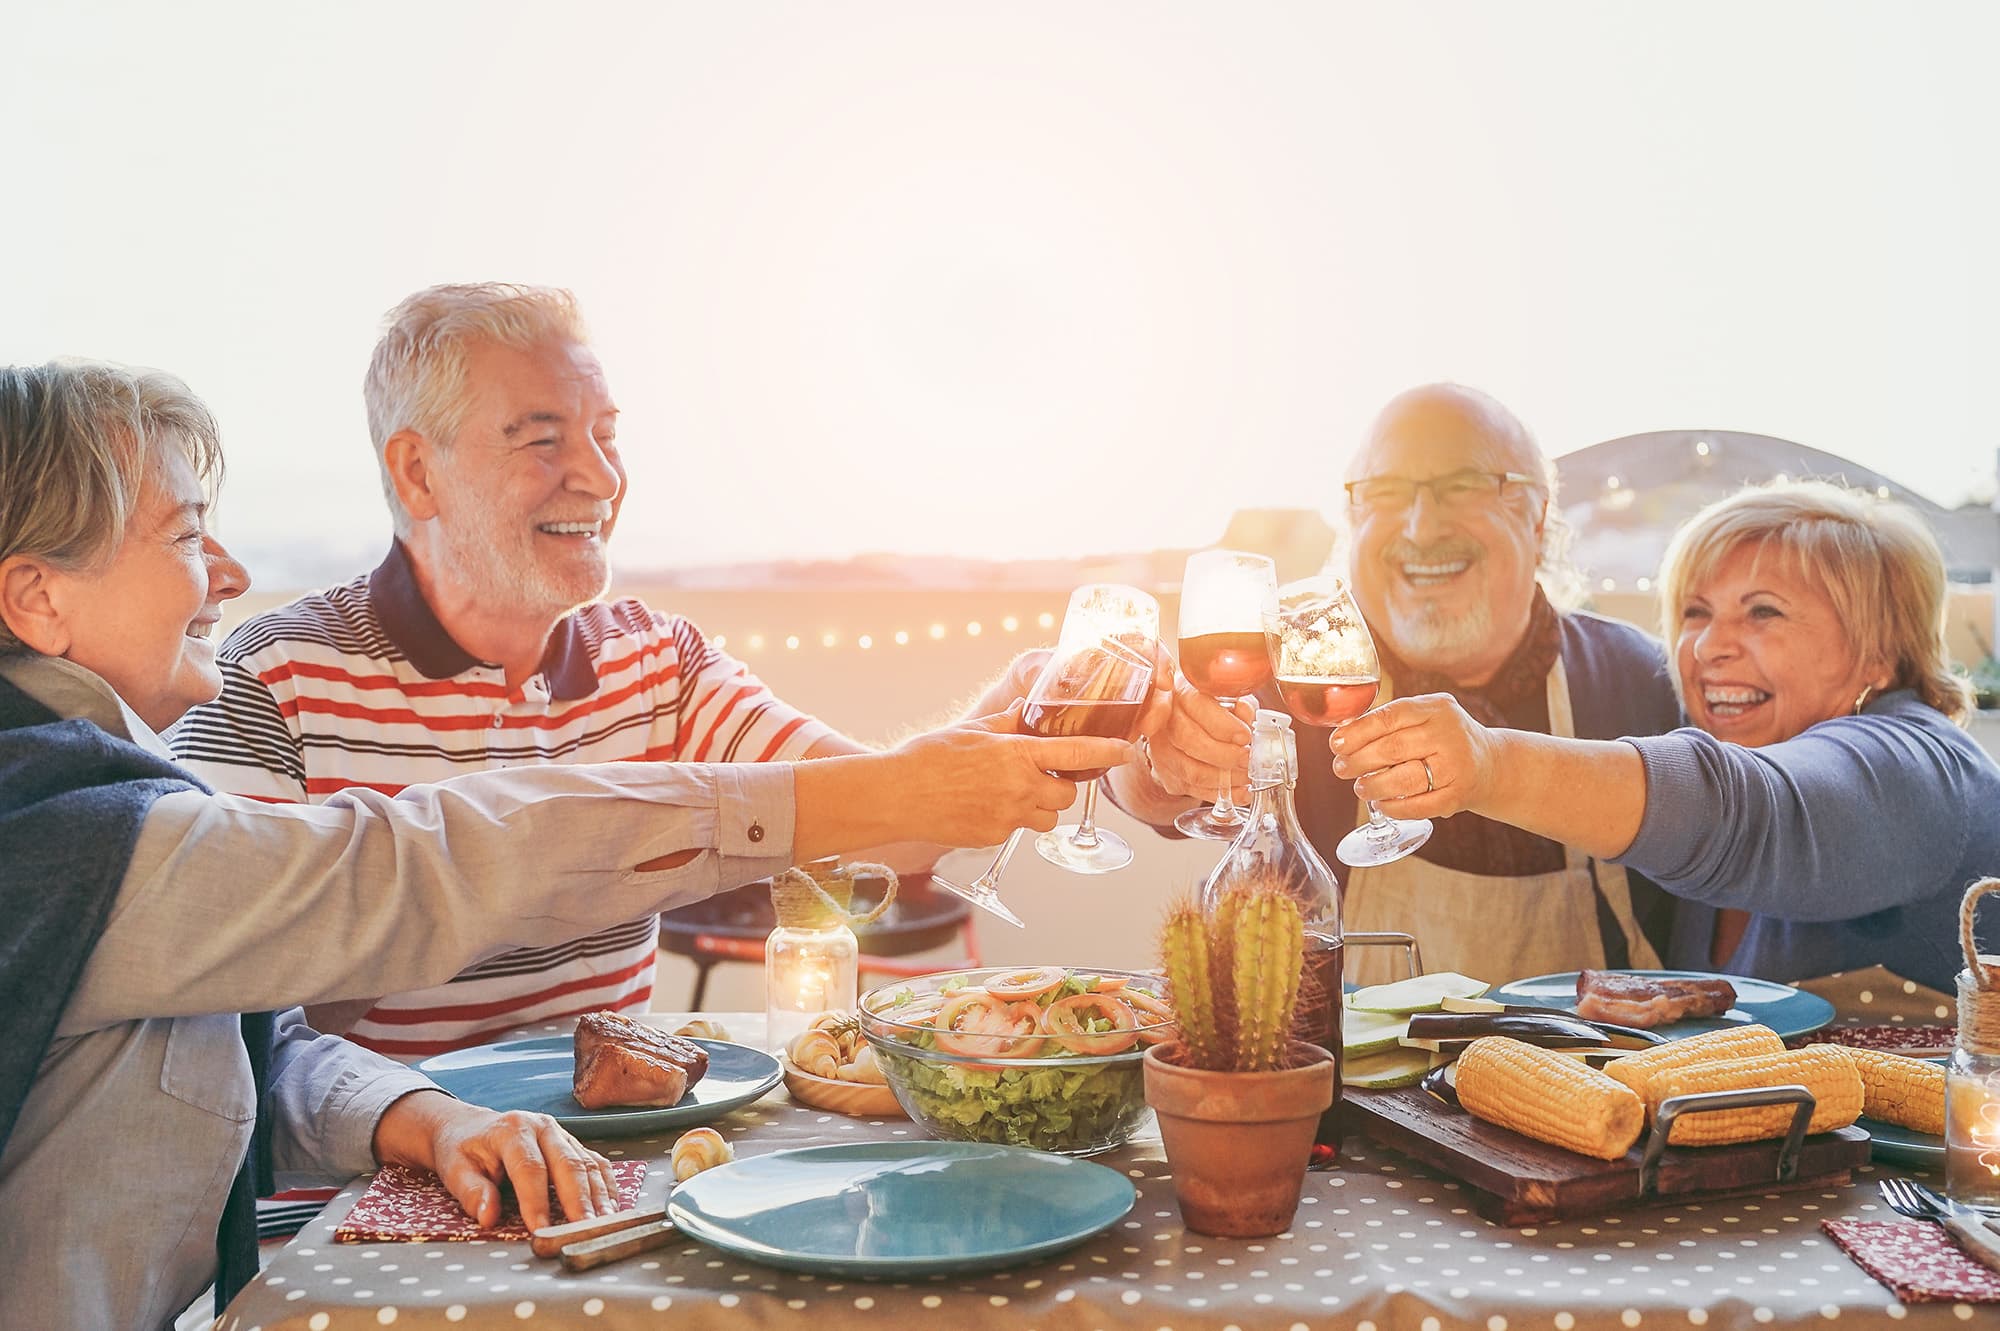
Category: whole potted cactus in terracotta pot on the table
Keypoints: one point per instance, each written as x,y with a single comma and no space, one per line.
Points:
1239,1098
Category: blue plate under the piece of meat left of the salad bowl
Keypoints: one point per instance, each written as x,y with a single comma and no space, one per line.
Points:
537,1074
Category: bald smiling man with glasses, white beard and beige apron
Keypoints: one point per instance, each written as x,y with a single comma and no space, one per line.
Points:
1451,521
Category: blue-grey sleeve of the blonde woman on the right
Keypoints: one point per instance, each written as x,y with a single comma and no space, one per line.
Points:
1853,816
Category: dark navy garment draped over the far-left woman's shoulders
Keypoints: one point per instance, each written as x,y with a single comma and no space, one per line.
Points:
73,800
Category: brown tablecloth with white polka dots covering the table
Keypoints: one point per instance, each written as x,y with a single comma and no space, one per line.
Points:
1381,1244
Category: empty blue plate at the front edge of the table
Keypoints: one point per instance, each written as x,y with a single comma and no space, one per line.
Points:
901,1210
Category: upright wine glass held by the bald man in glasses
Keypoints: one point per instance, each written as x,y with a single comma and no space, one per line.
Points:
1225,603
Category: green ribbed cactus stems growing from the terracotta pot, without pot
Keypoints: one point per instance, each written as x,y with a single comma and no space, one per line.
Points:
1235,976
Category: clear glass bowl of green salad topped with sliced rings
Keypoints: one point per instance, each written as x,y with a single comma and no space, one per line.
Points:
1043,1058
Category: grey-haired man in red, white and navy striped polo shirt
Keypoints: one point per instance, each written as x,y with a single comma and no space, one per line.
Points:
479,643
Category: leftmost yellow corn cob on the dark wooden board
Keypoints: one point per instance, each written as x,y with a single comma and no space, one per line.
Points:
1547,1096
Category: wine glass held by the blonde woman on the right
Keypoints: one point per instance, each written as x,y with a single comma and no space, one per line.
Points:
1327,674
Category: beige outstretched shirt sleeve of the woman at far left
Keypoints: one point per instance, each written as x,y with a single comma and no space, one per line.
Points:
241,906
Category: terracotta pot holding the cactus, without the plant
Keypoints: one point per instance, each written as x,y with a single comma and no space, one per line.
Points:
1239,1142
